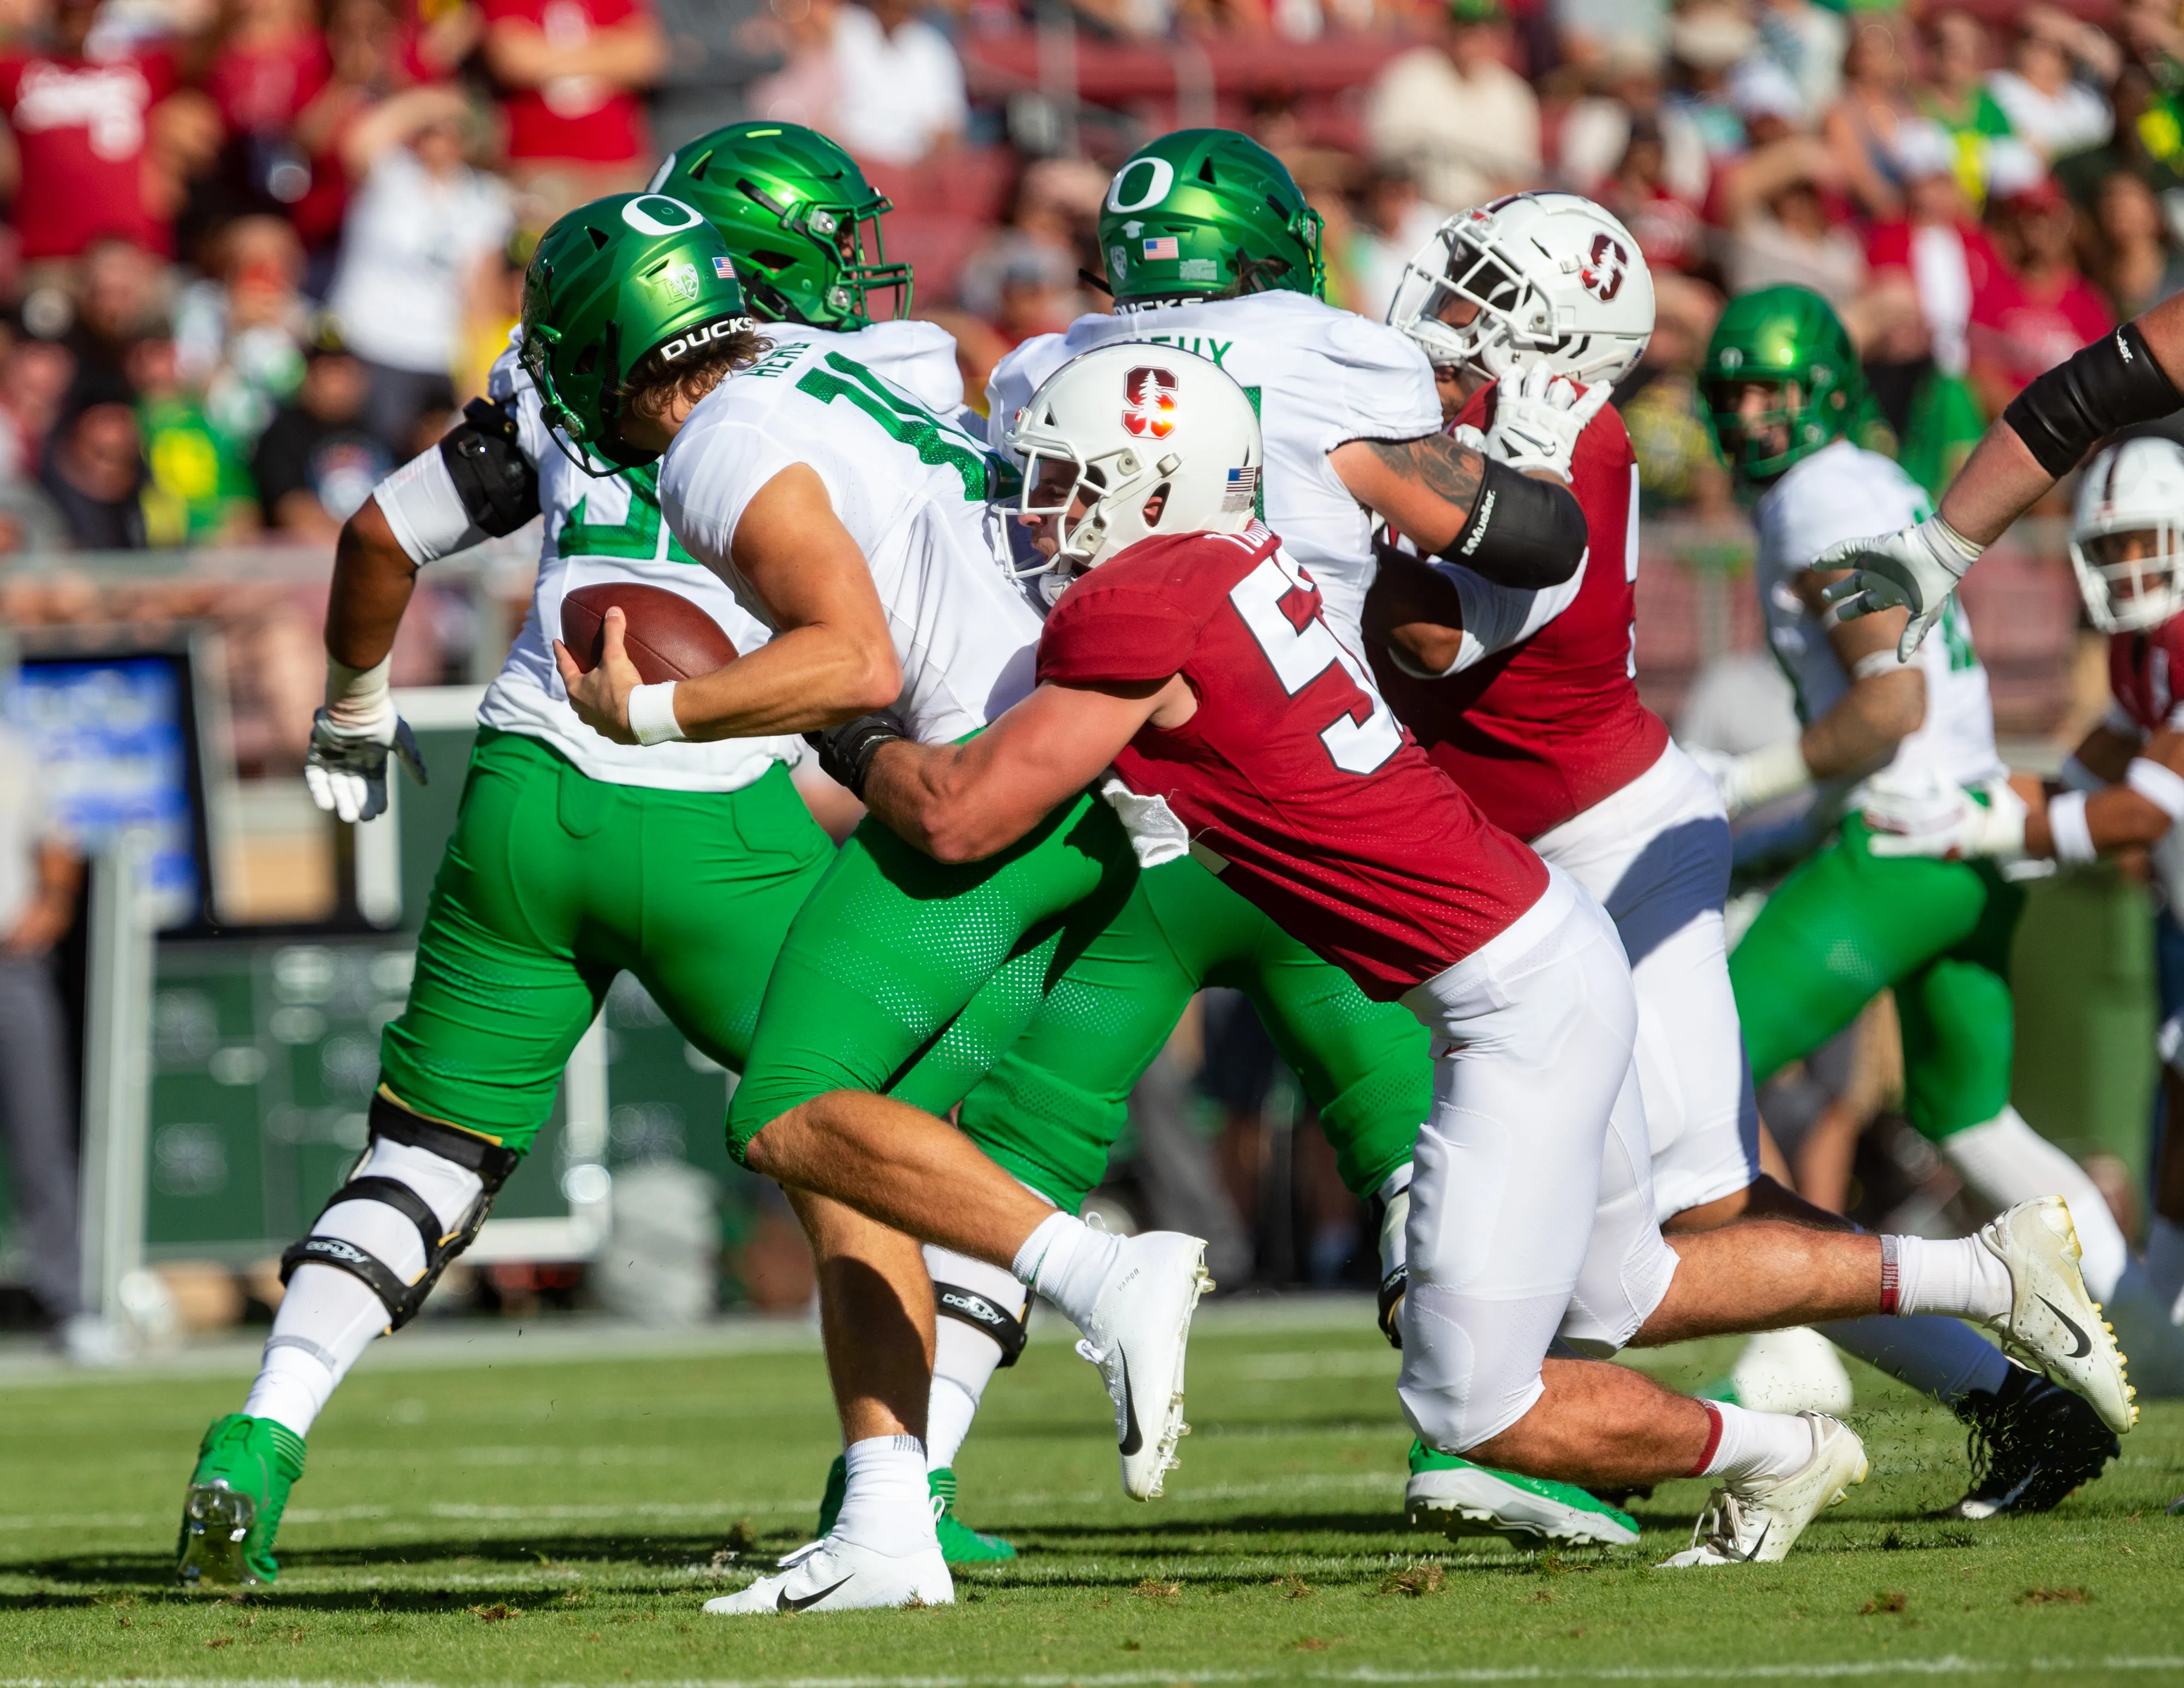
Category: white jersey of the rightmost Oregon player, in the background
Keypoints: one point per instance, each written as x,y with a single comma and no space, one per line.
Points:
1844,492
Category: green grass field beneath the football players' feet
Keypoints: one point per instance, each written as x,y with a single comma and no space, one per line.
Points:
479,1512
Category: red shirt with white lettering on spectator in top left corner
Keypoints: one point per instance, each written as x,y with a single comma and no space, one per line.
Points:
82,132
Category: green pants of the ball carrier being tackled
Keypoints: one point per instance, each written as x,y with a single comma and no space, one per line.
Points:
892,947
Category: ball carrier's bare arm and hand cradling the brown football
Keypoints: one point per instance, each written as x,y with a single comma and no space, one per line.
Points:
831,658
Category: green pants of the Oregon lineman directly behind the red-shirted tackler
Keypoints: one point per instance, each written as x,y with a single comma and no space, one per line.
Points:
1058,1095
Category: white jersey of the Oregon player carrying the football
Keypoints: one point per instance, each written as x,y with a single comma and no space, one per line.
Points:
910,488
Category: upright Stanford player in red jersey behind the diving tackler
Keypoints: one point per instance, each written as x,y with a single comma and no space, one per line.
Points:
1530,702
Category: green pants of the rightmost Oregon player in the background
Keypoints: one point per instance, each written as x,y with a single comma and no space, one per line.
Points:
1851,925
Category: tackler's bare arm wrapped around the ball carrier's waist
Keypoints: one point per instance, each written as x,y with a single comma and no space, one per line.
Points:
966,803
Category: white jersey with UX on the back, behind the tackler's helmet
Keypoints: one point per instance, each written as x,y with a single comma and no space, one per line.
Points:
1318,377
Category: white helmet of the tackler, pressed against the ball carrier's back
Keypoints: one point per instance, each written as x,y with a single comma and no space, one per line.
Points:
1137,420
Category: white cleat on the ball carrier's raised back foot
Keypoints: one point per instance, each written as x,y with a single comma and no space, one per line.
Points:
1137,1338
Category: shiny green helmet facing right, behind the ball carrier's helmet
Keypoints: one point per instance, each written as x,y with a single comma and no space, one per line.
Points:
796,215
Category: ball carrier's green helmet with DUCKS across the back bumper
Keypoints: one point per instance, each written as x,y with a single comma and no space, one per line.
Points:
610,285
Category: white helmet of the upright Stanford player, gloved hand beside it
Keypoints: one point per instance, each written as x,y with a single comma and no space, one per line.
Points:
1532,278
